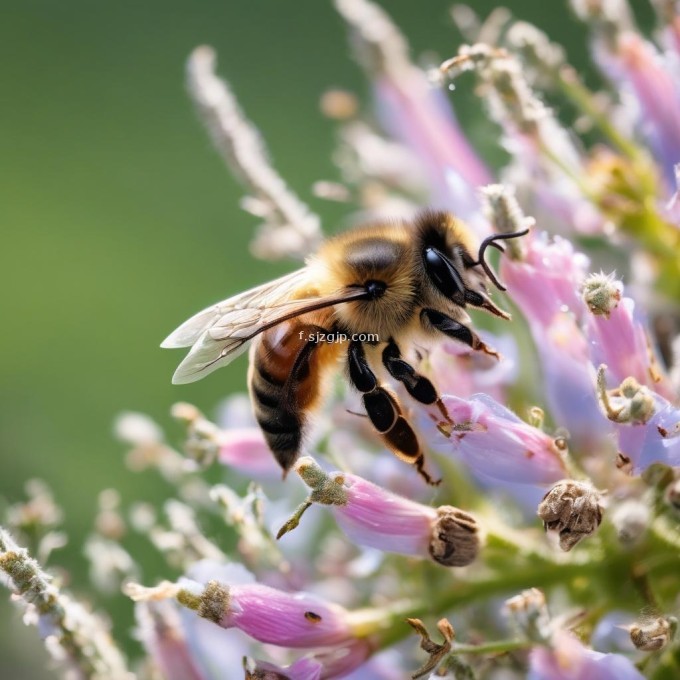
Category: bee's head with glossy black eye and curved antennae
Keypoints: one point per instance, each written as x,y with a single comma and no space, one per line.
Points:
446,247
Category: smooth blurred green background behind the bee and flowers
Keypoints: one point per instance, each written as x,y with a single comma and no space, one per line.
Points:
119,220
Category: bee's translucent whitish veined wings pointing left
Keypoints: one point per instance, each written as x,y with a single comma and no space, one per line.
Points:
222,332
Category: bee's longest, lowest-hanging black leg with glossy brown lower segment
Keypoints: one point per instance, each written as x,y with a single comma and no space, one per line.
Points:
384,411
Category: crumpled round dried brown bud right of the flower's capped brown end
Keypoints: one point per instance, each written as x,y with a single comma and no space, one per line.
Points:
573,510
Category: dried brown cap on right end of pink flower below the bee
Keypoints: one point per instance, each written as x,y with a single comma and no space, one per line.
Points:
454,541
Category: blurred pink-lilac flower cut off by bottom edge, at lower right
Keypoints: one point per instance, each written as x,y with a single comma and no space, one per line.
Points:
568,659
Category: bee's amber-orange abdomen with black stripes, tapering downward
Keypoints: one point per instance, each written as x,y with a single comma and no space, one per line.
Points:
285,384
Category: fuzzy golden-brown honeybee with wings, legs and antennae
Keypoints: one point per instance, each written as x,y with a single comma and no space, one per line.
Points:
361,299
